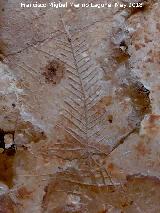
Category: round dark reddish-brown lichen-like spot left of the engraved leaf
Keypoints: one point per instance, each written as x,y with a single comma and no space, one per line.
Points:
54,72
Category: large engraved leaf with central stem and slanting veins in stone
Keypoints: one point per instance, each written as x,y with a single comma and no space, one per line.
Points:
84,89
